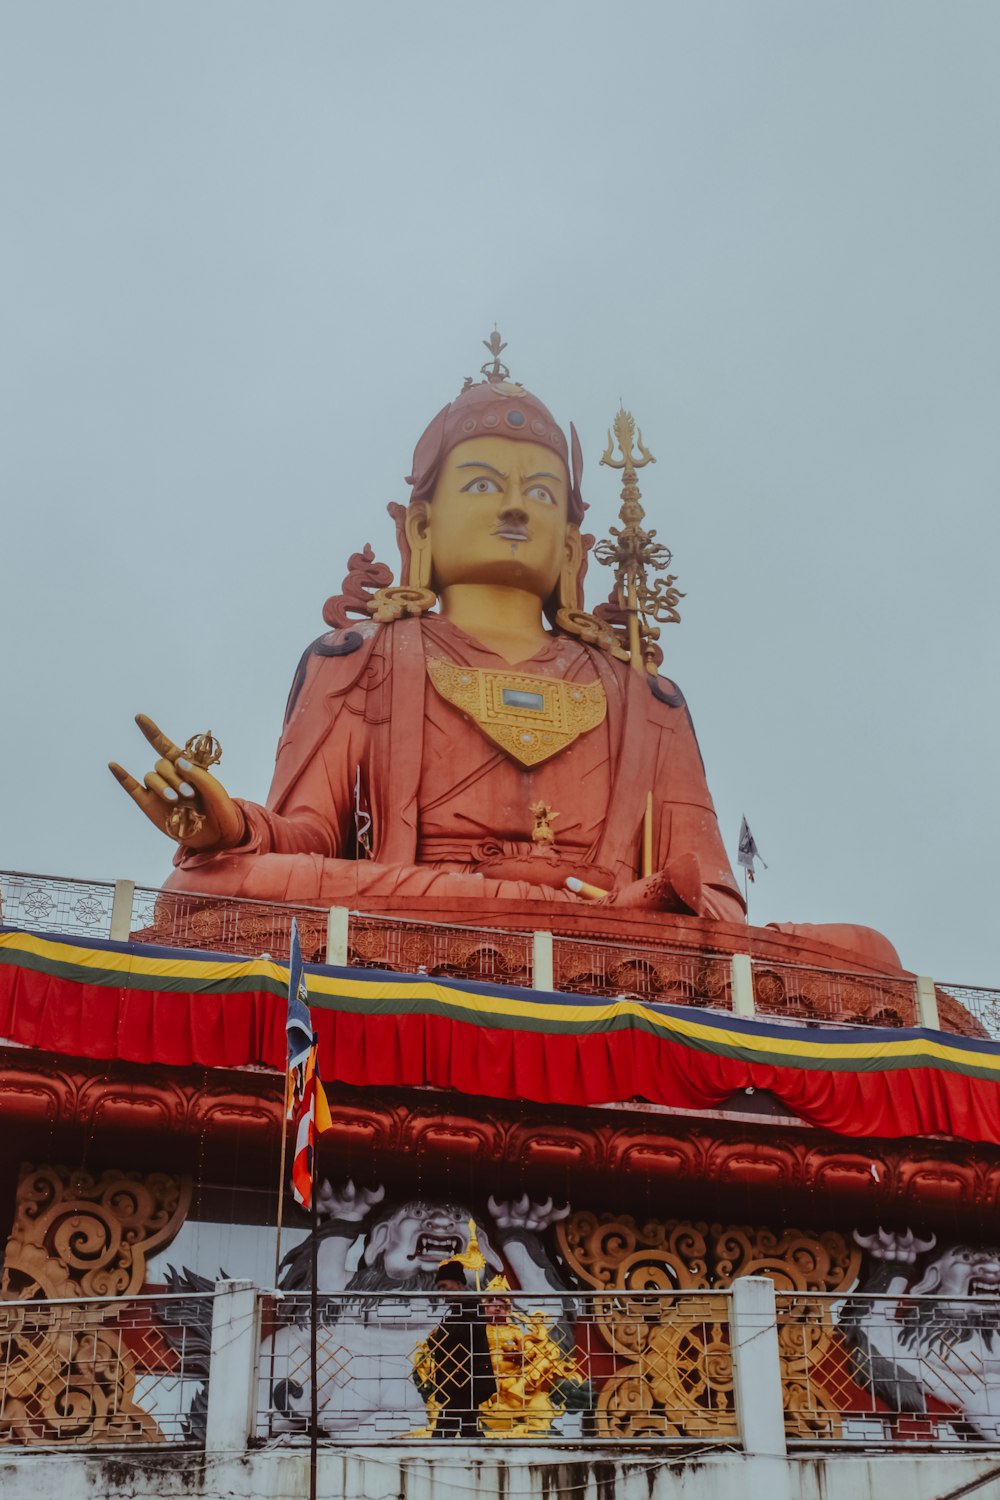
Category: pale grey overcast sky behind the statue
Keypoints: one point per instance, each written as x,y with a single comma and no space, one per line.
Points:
250,250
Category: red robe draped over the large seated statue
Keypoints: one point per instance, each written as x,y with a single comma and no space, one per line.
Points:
446,803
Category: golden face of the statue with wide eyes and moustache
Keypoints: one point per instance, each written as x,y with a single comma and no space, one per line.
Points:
499,515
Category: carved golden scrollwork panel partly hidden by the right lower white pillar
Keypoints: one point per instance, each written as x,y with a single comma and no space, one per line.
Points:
675,1373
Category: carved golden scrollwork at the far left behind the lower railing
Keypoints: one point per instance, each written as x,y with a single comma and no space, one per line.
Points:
71,1370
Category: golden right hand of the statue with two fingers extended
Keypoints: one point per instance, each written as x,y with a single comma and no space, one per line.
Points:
176,784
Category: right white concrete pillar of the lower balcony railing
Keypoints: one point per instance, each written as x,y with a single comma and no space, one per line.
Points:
756,1367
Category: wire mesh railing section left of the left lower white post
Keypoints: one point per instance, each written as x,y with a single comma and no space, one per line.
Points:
104,1373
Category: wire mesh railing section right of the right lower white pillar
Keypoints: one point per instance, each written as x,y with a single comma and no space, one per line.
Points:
891,1372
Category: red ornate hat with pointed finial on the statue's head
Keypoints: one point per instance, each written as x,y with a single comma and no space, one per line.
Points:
500,409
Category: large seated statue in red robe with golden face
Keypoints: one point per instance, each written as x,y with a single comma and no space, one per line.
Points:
478,742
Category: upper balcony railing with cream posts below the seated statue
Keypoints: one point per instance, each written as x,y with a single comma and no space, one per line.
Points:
795,994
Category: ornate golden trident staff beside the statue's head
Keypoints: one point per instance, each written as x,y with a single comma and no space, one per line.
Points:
633,553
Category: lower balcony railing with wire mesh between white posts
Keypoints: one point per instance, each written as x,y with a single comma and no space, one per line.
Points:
738,1367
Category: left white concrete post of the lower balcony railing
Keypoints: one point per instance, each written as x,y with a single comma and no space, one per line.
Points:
233,1372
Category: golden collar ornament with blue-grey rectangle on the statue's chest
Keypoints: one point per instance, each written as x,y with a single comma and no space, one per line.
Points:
530,718
